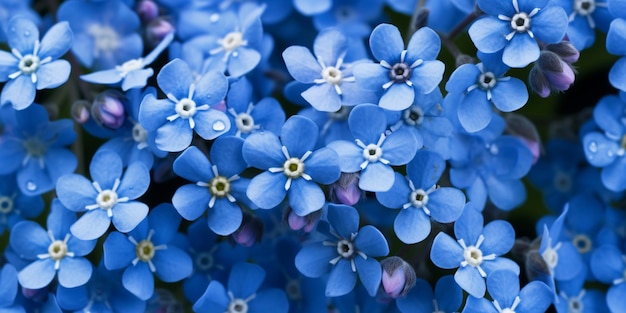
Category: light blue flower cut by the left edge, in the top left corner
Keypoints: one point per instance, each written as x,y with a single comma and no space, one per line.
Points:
32,64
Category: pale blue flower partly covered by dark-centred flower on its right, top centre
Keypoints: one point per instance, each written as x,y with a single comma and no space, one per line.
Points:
333,84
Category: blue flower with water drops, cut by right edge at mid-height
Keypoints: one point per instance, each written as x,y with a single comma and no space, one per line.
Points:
606,148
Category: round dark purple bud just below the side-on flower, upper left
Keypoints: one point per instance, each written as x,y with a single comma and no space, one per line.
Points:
108,109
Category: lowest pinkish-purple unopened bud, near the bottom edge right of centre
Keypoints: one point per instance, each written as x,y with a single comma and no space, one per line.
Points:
398,277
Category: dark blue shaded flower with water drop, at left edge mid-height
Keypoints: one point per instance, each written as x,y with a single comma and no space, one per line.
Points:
35,148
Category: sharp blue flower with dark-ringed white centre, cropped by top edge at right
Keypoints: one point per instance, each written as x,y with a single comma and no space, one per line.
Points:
515,26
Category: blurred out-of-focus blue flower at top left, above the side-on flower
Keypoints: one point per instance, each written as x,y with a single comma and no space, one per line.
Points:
105,32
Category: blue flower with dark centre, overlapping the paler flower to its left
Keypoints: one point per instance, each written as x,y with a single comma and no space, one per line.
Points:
401,72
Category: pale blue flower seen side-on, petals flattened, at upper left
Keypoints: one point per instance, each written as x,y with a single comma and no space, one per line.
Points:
131,73
